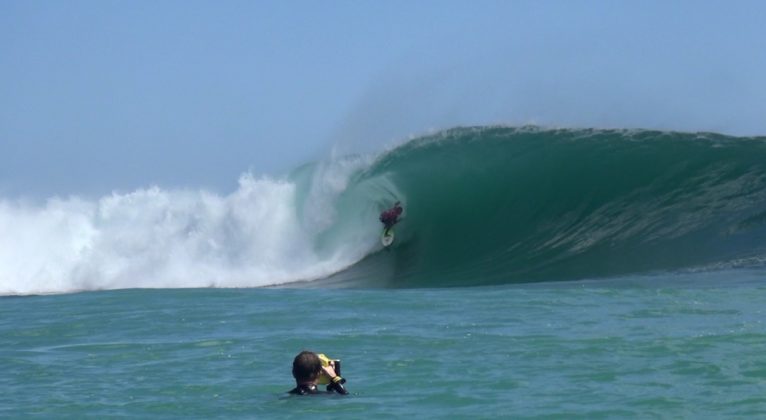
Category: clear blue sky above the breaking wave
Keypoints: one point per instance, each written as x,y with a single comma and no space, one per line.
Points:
109,95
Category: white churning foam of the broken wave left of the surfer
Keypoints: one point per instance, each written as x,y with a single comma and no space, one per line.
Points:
159,238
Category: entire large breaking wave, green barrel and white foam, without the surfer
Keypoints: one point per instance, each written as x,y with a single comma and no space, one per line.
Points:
483,205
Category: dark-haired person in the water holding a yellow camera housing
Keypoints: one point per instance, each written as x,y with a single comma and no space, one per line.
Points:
310,369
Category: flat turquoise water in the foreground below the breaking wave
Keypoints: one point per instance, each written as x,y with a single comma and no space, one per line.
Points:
668,346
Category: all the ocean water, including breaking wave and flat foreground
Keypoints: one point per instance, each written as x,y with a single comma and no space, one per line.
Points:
535,273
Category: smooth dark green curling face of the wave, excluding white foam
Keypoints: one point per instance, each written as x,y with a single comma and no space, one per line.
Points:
495,205
